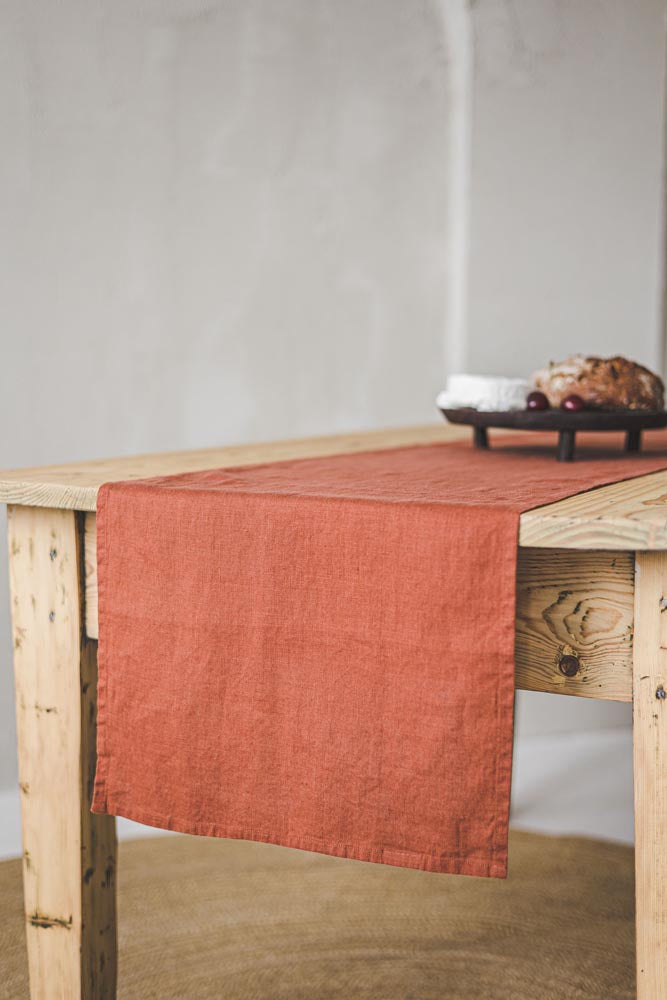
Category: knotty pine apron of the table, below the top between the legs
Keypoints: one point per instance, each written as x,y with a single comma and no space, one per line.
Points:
568,603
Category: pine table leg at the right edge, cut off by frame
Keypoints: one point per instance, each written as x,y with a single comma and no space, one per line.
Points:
650,771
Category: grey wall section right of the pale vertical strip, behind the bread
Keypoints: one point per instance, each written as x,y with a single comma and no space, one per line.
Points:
566,181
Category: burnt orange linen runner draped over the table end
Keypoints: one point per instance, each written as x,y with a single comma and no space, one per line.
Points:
320,653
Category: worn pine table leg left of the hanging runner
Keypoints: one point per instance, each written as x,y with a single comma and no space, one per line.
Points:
69,855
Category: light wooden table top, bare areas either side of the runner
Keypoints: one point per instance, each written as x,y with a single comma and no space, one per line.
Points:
626,516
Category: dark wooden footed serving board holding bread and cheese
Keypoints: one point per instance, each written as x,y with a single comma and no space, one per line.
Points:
565,423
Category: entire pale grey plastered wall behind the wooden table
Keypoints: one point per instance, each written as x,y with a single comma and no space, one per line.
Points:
228,219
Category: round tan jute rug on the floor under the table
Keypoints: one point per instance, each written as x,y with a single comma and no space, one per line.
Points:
203,919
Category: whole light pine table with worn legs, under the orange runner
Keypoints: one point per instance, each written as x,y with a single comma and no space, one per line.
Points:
591,621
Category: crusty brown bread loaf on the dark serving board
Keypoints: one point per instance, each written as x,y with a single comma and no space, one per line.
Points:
603,383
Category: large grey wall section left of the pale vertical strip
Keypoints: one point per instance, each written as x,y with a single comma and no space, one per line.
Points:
228,222
